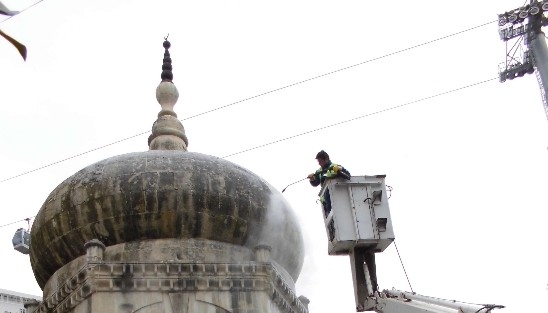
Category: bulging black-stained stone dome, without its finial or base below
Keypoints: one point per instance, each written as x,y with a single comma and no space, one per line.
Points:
162,194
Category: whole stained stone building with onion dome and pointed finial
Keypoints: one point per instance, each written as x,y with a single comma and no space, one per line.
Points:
166,230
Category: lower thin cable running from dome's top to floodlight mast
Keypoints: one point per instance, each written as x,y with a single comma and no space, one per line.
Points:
360,117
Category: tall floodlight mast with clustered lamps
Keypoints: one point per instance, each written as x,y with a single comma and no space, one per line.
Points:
524,26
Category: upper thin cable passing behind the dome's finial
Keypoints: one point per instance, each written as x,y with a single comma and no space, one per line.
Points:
254,97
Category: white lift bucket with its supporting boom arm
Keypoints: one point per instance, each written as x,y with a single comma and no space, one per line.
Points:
358,224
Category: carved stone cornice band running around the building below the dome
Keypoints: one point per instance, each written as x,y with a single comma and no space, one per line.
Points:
173,277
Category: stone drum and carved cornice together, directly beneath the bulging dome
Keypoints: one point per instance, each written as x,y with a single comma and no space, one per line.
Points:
164,263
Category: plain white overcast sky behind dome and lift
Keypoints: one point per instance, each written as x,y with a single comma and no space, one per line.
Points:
469,169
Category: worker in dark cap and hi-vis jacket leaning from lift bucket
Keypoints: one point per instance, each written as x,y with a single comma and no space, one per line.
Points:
327,170
